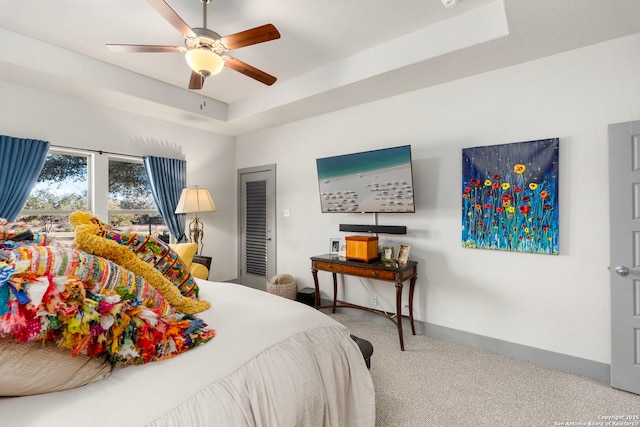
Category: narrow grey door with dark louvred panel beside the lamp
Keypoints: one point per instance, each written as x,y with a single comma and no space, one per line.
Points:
257,226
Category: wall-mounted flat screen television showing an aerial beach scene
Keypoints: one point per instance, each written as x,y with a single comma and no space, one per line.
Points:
367,182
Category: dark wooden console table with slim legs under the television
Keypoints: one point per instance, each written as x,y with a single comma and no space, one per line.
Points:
372,270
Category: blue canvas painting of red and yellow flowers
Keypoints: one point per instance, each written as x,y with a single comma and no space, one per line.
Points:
510,197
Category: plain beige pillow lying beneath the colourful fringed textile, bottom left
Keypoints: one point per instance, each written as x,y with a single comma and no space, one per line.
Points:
28,368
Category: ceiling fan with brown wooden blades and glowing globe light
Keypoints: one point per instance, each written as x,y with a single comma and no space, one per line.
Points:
205,50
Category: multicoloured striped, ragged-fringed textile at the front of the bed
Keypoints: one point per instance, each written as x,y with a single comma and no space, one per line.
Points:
86,303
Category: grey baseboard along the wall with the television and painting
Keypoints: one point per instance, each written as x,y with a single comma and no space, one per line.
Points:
548,359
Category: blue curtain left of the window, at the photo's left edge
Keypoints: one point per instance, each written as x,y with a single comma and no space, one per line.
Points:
21,161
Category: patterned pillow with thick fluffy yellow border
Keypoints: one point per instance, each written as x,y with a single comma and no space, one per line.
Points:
149,258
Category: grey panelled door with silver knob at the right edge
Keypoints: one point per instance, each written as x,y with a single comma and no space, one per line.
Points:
624,182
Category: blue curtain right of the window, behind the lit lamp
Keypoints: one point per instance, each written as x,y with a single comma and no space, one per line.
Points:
168,177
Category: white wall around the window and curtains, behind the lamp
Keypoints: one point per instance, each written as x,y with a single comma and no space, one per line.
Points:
31,113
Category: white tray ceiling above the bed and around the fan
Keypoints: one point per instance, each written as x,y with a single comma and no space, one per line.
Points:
332,54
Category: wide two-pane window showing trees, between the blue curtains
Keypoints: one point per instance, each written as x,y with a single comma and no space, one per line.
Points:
115,188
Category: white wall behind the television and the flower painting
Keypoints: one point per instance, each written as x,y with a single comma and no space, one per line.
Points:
556,303
